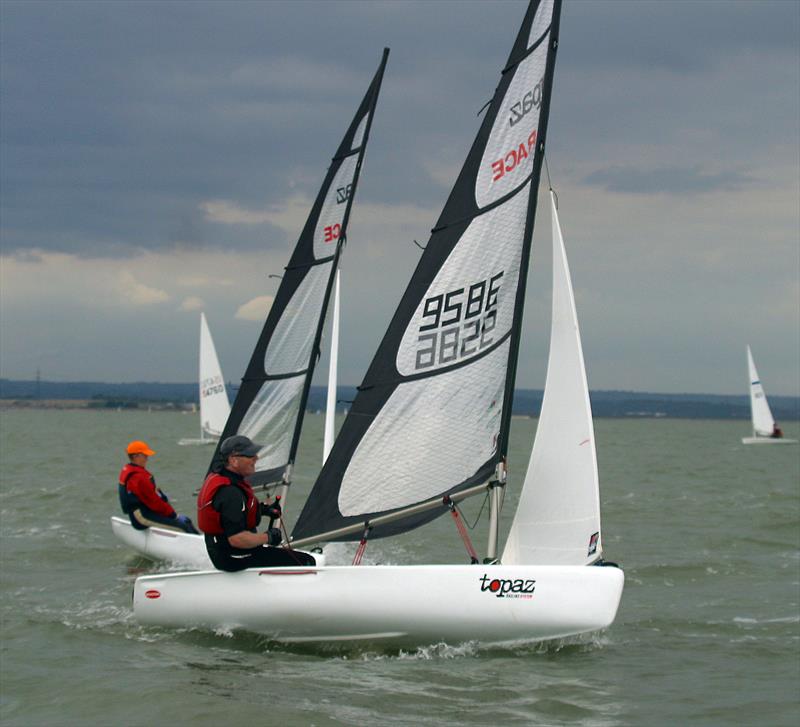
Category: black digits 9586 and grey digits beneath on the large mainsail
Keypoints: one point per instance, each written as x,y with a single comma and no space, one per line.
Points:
457,324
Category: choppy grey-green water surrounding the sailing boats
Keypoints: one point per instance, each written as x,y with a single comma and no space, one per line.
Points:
708,632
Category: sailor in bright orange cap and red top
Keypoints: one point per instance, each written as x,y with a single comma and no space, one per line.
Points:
141,500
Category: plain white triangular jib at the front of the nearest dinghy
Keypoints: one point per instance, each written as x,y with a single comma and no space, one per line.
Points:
558,517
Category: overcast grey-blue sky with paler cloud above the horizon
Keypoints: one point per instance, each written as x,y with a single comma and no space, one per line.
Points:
159,159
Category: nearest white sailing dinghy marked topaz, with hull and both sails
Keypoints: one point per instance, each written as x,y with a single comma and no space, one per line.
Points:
429,427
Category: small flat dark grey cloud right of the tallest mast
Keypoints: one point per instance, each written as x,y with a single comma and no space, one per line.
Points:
667,180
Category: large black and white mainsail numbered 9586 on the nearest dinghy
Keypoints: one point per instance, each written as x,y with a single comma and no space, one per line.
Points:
432,415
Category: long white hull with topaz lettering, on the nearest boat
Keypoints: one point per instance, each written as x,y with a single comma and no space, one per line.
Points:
398,604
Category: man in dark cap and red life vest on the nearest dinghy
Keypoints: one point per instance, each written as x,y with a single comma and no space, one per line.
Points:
228,513
